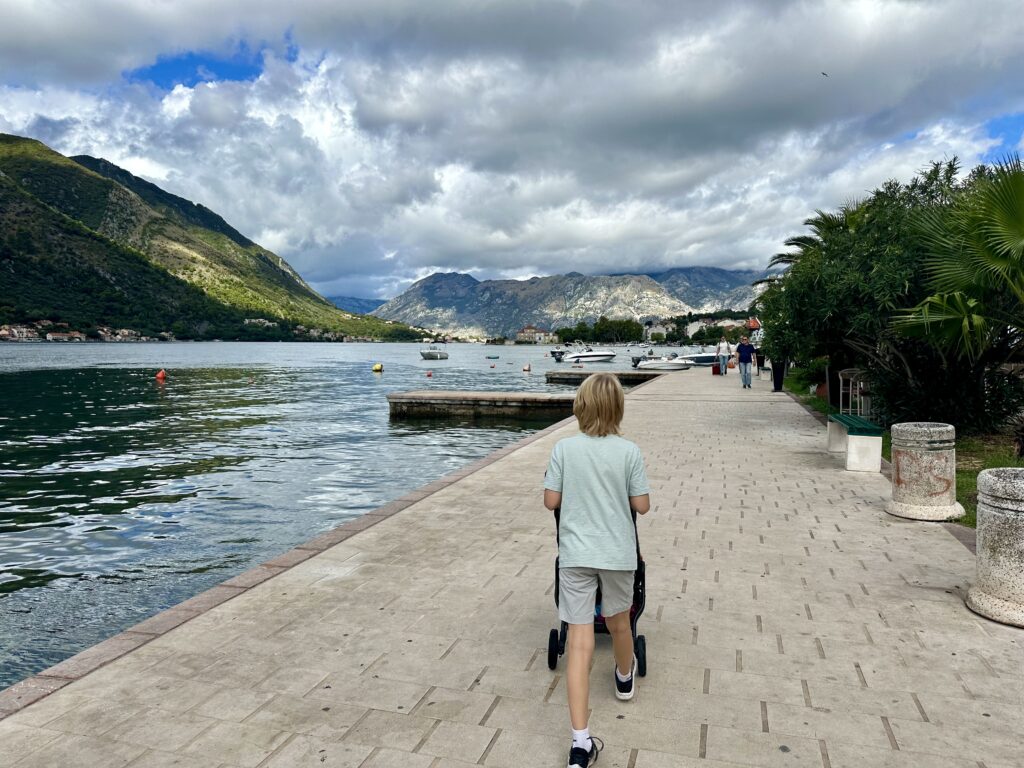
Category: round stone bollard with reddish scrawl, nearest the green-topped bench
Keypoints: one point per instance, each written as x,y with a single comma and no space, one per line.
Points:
924,472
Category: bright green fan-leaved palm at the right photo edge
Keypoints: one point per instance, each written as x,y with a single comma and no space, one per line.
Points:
976,269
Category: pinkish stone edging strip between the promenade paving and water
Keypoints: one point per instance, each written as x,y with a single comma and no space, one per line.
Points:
41,685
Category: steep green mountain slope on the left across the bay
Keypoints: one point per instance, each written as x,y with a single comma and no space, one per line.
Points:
88,243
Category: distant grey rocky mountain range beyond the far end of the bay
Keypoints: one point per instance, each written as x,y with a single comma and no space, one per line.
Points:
461,305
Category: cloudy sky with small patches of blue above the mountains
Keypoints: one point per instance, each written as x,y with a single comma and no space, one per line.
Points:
372,143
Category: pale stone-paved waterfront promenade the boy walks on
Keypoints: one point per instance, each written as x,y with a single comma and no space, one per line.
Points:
790,622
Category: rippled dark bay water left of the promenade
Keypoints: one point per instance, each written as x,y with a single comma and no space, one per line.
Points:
120,497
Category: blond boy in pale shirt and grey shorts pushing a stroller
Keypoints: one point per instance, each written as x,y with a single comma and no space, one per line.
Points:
596,478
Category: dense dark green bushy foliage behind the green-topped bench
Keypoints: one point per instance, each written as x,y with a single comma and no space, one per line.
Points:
860,269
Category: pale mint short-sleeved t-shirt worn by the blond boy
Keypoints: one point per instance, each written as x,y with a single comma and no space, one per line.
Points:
596,478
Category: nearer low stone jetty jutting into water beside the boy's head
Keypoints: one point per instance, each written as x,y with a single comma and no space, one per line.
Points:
425,404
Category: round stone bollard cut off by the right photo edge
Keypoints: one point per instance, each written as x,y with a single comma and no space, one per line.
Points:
999,590
